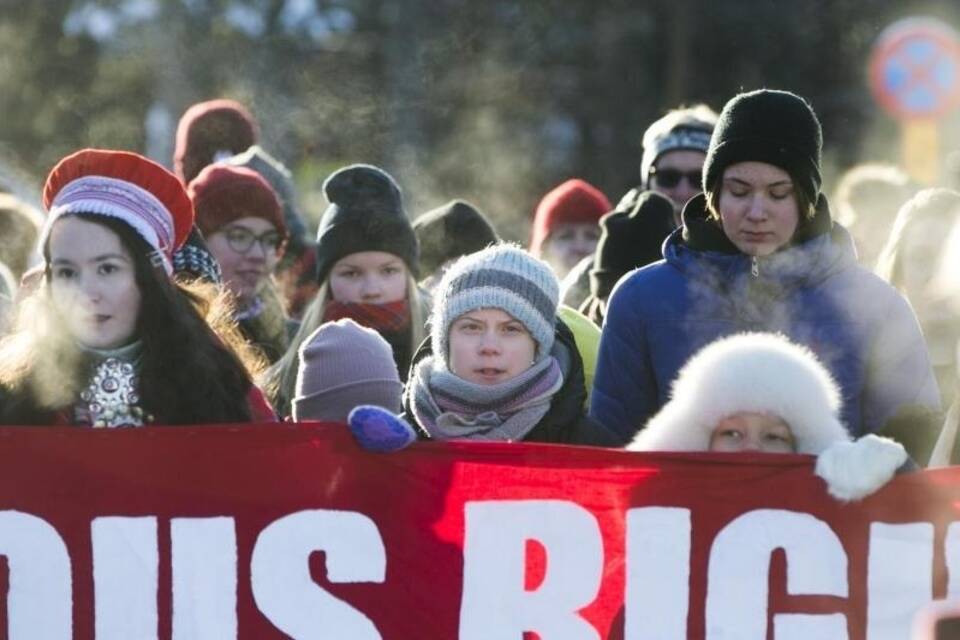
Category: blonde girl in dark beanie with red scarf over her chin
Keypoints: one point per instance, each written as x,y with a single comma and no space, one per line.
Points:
367,266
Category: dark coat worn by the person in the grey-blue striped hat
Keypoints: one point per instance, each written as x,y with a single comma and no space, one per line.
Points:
565,422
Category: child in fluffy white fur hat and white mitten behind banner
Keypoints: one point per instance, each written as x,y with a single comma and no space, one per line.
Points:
760,392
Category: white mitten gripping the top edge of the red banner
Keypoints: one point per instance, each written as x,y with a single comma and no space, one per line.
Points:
854,470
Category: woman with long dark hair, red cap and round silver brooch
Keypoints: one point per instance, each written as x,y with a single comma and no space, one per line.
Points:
109,338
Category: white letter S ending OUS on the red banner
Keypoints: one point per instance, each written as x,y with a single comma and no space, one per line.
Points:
280,573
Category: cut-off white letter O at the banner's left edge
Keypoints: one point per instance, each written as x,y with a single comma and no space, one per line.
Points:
40,599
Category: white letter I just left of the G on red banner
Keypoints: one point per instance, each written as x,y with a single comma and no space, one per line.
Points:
657,595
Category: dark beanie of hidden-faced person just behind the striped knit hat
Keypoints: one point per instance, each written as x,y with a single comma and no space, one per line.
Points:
450,231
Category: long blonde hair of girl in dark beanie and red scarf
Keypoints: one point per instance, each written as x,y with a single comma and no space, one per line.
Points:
279,381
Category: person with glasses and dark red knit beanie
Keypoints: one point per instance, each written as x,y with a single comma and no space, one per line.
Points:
242,221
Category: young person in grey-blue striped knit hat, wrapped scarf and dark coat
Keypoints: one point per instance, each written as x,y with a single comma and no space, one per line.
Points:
499,365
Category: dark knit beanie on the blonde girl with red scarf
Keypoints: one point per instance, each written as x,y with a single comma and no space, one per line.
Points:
365,214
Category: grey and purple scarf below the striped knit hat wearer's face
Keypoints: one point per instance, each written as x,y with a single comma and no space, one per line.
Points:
448,406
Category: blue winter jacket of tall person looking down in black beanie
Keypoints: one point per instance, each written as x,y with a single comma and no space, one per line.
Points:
814,292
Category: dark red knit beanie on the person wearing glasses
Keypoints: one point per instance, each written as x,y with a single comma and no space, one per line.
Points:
223,193
